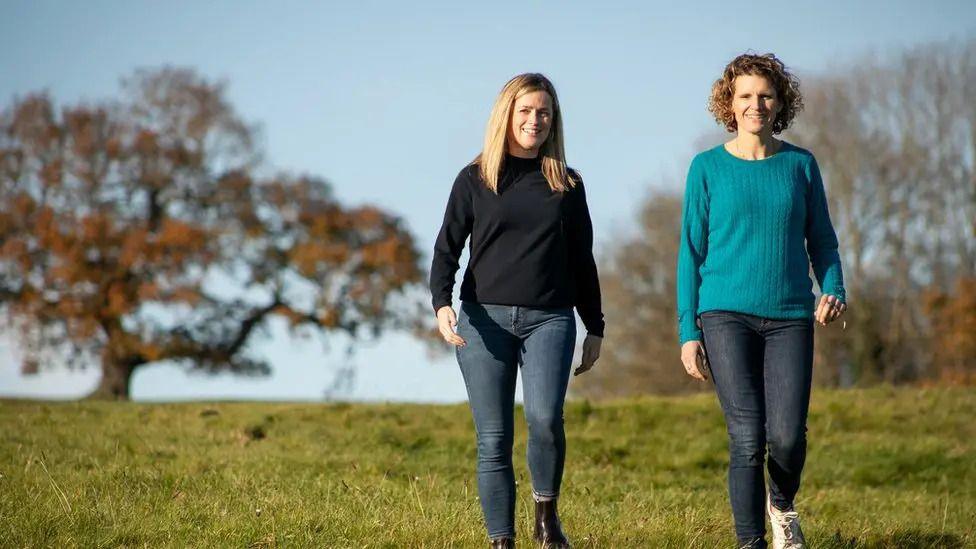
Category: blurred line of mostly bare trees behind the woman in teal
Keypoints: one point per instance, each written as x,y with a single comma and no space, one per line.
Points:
896,142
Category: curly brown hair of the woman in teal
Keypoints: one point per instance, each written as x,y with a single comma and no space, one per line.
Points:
767,65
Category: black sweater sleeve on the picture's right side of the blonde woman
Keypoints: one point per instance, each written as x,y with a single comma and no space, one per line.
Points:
587,298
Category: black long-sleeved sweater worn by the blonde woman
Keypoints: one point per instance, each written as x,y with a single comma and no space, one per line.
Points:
530,246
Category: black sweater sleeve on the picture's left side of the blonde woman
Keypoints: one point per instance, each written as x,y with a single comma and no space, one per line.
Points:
458,219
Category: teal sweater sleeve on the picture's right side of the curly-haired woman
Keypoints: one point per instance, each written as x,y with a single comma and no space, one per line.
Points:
821,238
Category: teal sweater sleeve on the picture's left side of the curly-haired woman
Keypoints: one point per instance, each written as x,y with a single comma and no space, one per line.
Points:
691,251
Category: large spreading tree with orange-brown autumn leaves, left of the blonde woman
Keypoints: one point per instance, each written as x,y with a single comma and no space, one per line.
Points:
118,224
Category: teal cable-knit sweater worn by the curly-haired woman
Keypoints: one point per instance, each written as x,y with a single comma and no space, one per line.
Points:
749,232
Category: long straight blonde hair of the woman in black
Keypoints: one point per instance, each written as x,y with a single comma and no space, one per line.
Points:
492,158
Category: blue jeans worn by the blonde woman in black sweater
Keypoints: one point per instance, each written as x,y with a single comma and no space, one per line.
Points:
500,338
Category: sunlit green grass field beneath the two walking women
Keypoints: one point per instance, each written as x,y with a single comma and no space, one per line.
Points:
886,468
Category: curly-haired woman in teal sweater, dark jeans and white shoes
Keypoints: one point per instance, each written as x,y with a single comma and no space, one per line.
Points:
754,220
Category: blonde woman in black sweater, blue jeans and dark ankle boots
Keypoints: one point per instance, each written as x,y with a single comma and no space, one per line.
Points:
531,262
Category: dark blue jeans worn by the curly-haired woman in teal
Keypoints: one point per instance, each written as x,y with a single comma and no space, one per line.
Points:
762,370
